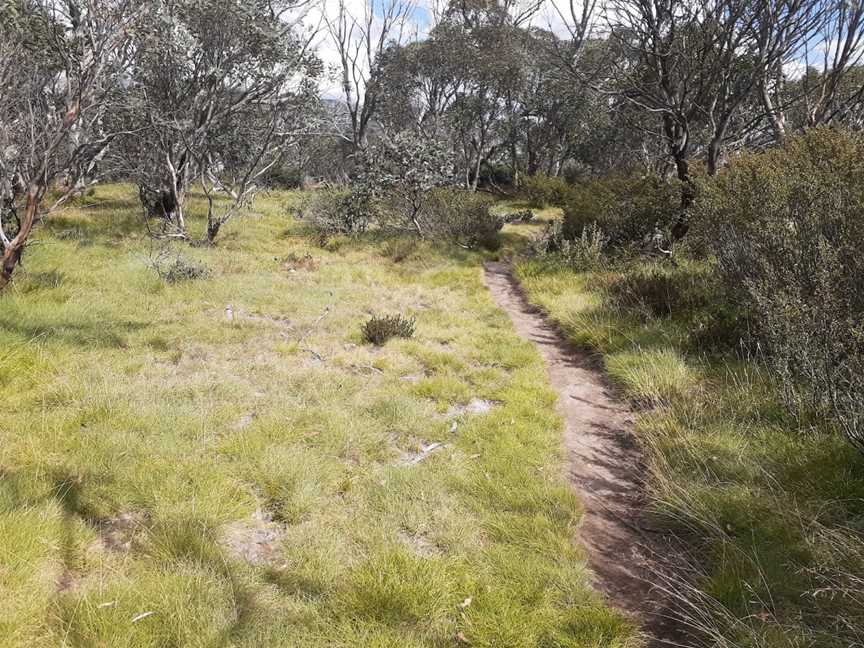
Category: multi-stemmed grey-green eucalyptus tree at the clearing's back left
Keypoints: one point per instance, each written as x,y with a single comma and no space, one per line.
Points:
218,93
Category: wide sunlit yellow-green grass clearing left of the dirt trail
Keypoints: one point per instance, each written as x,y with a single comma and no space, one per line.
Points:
148,440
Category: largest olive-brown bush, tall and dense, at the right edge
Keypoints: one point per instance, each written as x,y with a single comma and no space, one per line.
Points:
790,243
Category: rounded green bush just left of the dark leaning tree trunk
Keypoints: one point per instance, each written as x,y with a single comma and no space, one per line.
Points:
627,209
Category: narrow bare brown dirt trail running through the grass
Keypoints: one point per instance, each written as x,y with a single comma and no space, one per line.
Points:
604,467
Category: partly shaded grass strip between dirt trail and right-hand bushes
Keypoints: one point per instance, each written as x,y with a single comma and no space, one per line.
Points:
771,507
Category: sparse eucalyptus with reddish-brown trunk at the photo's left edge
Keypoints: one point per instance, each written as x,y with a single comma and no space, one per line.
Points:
60,69
